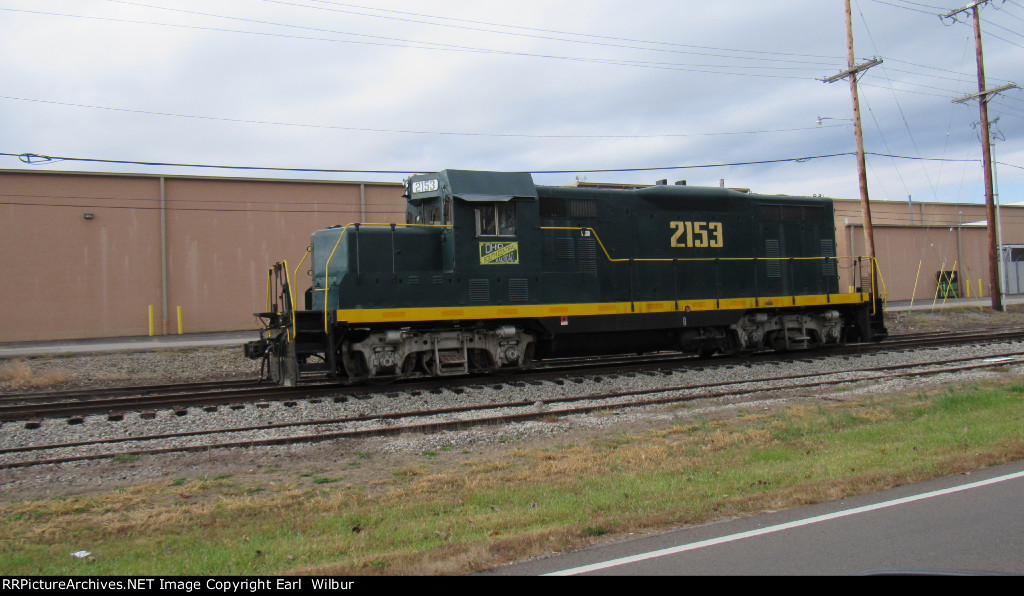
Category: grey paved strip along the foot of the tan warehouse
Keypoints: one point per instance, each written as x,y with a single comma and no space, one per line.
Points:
238,338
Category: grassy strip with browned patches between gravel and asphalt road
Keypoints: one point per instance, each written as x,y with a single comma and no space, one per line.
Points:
475,515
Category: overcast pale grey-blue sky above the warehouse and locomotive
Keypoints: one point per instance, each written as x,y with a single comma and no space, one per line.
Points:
538,86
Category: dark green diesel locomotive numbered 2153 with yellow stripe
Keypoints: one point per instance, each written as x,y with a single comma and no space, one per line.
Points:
491,272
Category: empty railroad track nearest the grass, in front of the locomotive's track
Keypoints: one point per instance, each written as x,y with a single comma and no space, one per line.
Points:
438,420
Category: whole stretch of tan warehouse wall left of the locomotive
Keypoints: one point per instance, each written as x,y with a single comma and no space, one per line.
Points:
67,277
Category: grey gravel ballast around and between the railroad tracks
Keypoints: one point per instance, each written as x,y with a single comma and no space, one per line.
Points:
387,453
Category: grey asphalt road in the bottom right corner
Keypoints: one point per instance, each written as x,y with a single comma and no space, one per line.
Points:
970,524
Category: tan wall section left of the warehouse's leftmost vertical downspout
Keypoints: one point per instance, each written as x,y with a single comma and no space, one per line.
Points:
65,276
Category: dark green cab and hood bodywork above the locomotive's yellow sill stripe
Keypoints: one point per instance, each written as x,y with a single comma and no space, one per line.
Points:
476,239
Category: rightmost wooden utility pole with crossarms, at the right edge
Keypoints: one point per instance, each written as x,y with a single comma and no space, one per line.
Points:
995,284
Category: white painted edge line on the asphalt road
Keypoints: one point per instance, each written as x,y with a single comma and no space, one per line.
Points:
781,528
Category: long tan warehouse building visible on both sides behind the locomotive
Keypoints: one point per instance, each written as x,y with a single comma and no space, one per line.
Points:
110,256
